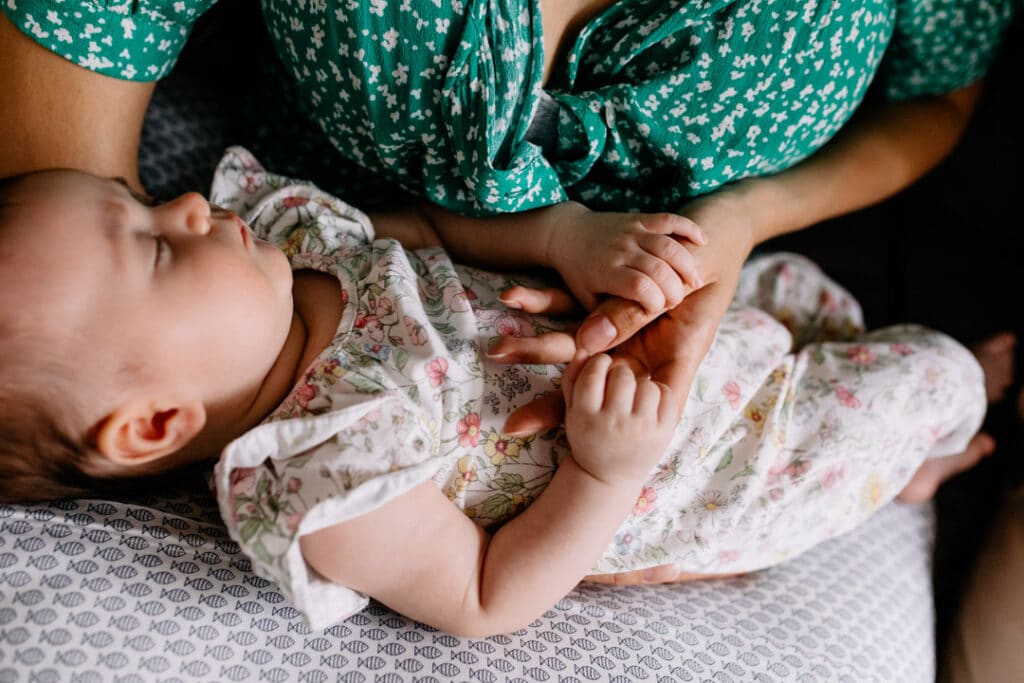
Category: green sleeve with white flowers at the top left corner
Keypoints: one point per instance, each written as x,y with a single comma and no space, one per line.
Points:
134,40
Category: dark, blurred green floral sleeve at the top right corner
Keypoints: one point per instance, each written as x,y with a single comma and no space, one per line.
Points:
942,46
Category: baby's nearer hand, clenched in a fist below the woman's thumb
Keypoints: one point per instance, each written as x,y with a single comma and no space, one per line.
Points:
619,425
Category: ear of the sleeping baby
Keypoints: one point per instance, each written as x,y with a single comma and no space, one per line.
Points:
142,432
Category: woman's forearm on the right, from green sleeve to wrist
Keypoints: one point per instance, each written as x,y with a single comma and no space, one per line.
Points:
880,153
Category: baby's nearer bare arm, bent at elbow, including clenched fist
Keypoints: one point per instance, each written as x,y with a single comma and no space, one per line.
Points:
423,558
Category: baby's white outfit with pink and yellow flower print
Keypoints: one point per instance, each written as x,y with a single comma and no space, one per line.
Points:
788,440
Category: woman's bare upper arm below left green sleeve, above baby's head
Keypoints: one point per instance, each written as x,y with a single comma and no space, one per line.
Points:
56,114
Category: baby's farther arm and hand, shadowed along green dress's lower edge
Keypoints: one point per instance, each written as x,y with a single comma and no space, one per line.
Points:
635,257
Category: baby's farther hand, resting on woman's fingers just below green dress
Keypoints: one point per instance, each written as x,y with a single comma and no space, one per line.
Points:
630,255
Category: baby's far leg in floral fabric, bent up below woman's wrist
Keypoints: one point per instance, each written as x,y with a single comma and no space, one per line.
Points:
795,291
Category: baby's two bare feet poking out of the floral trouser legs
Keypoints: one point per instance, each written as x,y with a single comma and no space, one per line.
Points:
996,356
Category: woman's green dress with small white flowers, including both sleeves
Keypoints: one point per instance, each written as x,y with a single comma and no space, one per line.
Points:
657,102
